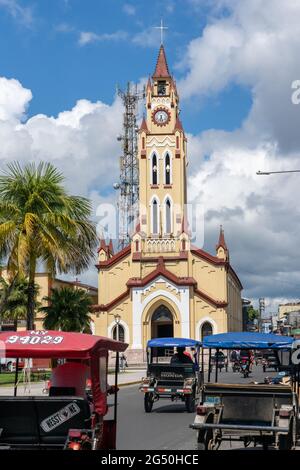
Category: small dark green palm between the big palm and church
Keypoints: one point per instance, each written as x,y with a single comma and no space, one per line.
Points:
68,310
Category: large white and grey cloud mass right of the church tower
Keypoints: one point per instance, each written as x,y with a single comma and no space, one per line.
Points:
256,45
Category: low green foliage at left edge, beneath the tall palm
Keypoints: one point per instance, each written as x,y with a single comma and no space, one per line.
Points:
14,297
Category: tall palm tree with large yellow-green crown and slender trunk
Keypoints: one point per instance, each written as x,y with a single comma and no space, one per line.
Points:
41,222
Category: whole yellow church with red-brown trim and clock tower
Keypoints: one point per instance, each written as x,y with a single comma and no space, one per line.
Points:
161,285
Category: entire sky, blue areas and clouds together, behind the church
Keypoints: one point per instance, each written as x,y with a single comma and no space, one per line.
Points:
234,62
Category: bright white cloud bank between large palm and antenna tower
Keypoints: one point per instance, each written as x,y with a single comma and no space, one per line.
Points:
81,141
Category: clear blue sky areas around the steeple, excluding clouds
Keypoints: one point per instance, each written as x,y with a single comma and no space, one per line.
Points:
40,47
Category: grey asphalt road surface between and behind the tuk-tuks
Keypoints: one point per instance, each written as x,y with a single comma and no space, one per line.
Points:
167,427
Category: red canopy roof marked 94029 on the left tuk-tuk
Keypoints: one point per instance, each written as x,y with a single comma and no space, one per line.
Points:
55,344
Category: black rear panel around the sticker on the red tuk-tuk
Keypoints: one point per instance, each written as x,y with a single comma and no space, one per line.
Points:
21,419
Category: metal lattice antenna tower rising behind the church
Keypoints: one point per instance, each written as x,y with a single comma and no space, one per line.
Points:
129,170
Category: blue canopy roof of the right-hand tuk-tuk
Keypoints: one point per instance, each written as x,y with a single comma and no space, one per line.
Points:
247,340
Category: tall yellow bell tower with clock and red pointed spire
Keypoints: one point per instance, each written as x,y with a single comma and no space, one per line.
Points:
162,157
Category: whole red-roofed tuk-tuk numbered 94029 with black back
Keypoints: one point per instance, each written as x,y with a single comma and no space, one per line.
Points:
66,419
